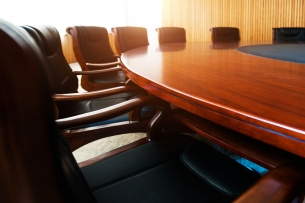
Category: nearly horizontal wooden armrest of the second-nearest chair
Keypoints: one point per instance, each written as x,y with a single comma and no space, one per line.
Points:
96,94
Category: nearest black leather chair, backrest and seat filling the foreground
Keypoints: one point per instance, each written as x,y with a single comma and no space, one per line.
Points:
37,165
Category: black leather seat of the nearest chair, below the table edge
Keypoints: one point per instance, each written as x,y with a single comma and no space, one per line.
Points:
172,169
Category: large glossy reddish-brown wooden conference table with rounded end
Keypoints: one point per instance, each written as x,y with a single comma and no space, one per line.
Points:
260,97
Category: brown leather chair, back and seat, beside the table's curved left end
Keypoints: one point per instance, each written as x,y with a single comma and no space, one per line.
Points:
93,52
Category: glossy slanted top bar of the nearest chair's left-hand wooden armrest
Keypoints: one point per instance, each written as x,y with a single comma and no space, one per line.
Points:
105,113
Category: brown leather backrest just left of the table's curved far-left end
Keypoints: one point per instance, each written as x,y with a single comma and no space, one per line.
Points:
91,45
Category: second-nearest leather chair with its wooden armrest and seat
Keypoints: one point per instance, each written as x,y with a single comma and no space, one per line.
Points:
64,84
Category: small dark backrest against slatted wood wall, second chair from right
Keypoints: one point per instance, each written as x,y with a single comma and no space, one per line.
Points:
225,34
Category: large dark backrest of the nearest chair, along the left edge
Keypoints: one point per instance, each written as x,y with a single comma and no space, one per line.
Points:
36,163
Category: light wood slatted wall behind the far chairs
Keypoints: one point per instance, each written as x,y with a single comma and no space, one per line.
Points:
254,18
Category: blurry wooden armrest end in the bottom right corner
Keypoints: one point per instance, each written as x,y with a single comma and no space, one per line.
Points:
279,185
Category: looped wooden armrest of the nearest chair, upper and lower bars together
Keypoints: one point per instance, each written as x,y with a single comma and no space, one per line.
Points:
78,137
